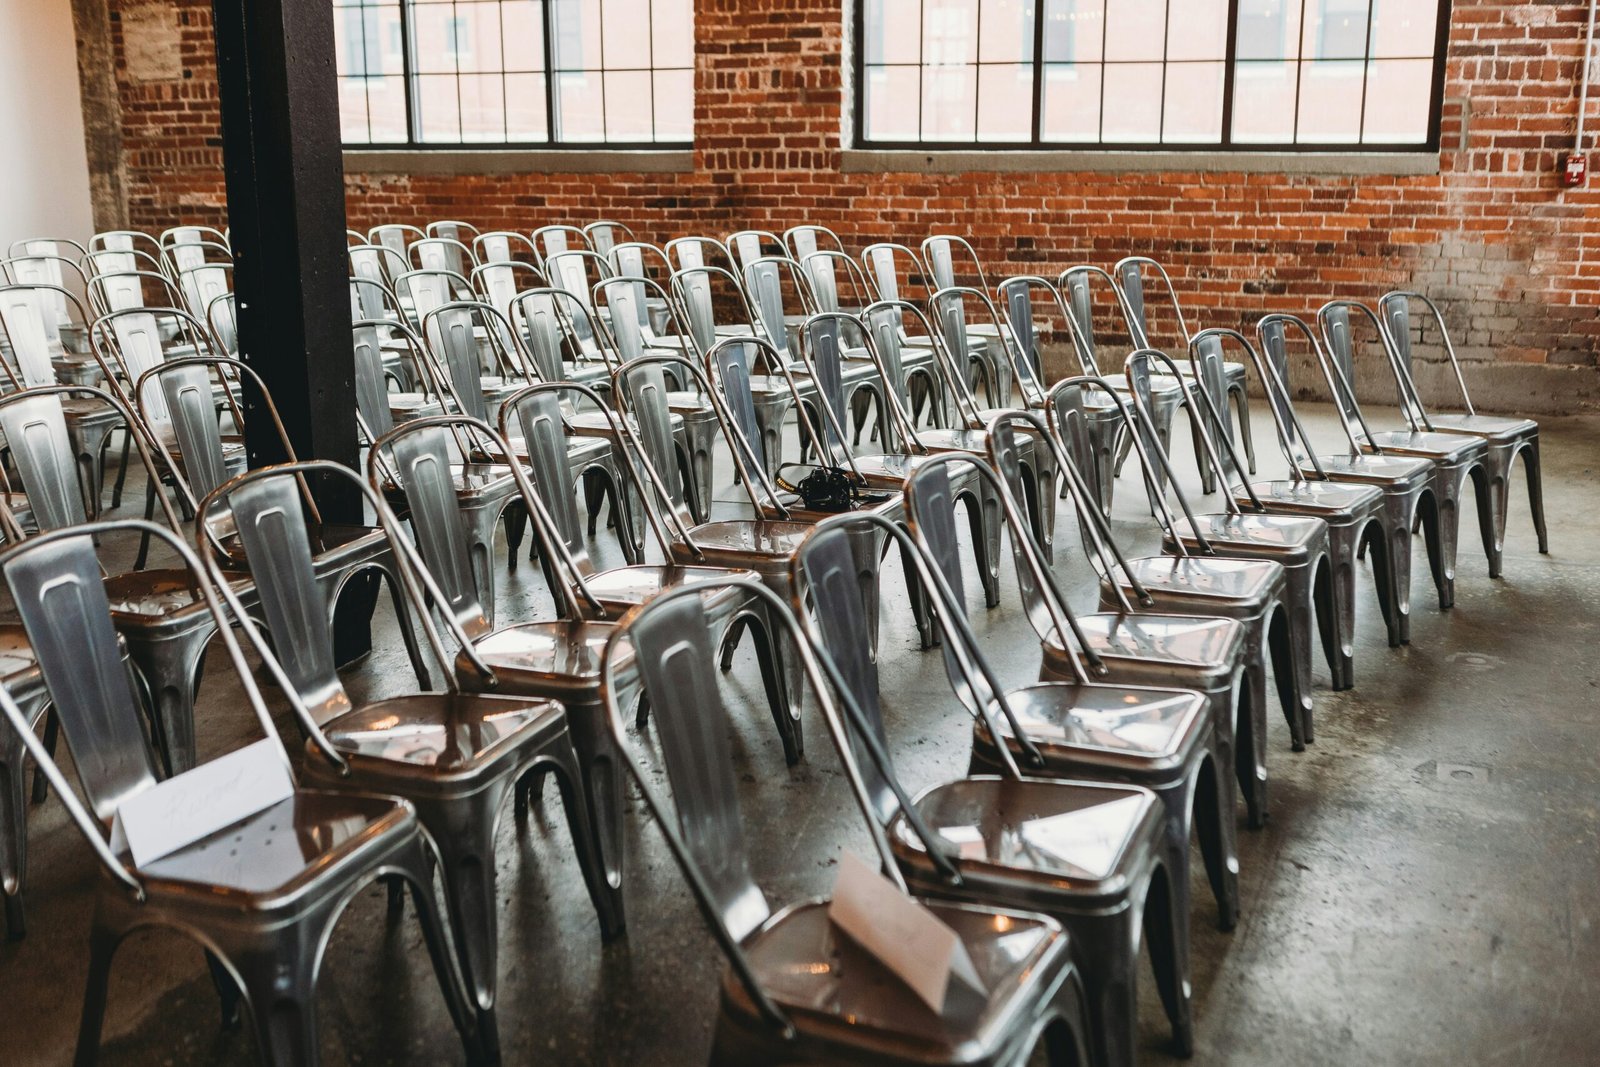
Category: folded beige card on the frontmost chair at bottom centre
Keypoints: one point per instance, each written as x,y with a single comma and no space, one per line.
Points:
902,933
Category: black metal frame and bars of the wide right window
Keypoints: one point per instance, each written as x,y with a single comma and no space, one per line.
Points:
1226,145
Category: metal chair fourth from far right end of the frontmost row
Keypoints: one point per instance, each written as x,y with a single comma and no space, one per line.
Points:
1354,513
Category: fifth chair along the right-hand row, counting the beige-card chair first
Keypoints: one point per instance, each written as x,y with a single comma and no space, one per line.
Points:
1202,583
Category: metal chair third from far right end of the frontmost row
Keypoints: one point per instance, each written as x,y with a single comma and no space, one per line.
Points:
1407,484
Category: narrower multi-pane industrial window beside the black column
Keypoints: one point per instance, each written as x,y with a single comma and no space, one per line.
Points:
516,73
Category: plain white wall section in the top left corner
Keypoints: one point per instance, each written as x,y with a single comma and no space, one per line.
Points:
44,169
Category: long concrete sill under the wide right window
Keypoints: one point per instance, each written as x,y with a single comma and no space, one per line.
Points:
1009,162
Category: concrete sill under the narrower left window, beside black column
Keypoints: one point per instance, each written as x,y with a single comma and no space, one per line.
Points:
599,161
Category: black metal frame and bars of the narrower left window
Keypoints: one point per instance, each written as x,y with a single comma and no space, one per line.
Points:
409,78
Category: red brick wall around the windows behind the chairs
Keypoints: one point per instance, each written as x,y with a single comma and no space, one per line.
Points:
1514,257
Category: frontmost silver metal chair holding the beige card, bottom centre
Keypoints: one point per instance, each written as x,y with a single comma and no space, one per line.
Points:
796,991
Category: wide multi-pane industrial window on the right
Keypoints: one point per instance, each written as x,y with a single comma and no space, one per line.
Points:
1151,74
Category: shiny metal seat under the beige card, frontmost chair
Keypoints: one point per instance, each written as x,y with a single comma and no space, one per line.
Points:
836,991
